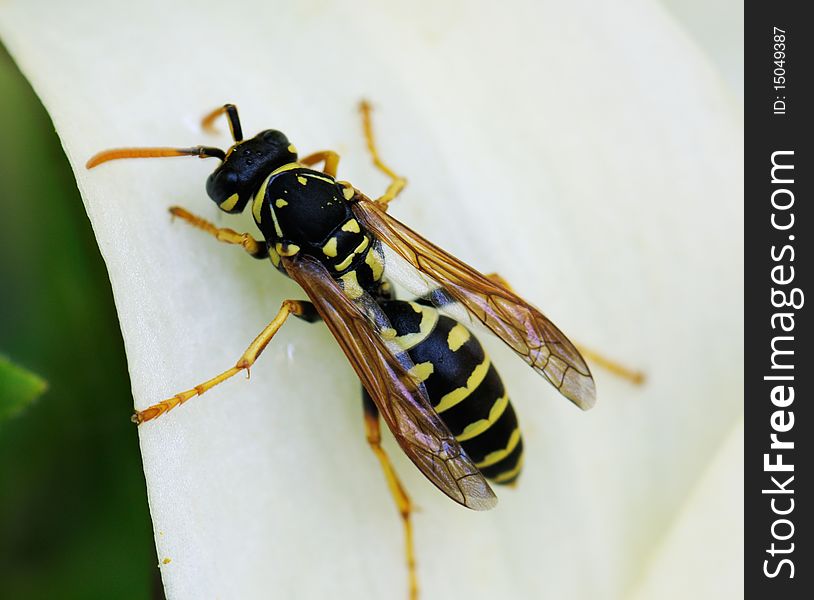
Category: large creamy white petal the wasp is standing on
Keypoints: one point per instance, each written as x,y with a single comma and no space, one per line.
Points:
585,150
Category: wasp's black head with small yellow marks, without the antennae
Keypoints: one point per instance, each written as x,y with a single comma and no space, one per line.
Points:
245,167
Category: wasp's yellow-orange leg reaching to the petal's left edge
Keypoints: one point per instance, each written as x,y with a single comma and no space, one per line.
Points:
289,307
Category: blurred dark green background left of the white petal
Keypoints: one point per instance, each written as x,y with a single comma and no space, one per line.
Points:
73,508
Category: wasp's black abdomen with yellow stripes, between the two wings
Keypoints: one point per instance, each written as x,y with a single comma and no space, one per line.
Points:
463,386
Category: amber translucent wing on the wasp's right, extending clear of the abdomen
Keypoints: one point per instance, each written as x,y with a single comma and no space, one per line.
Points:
524,328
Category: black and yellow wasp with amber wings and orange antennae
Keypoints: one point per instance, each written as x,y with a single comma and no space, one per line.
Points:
423,372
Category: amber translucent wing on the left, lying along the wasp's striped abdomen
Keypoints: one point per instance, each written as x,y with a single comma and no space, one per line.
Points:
400,398
